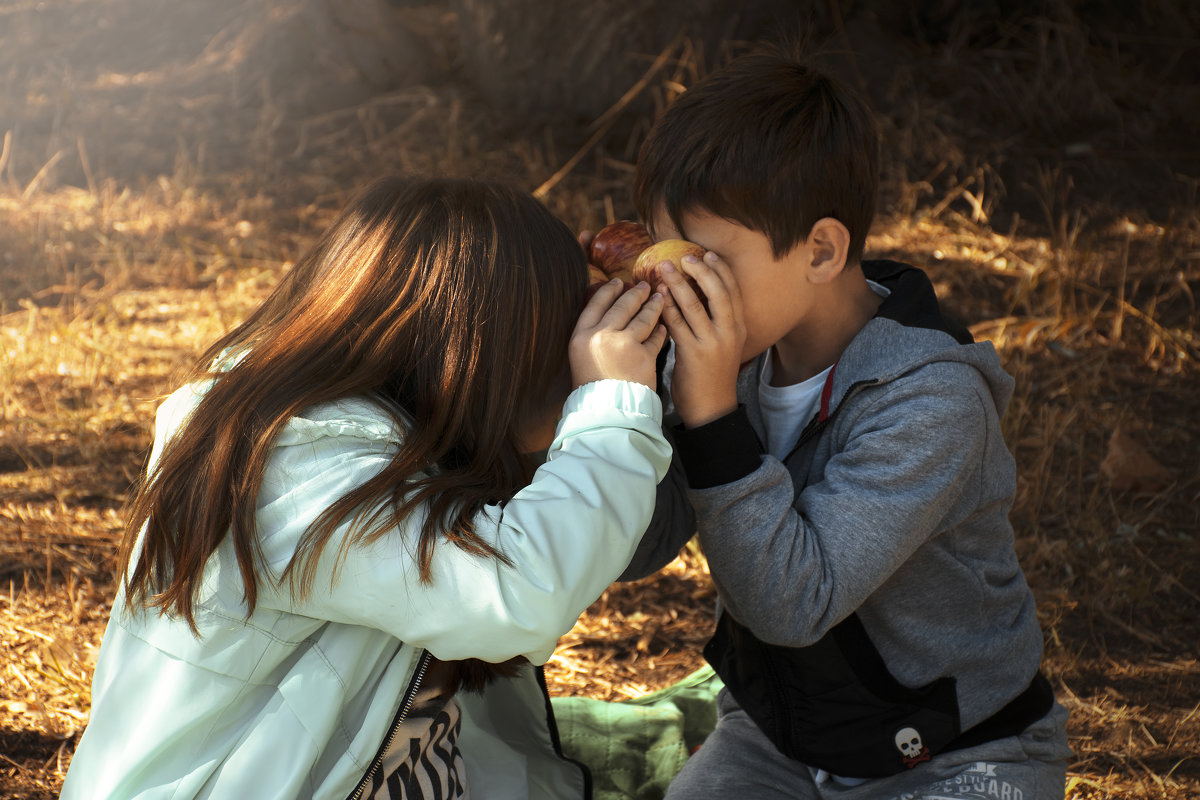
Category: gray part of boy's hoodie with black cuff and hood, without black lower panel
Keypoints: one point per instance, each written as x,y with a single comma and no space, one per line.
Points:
893,508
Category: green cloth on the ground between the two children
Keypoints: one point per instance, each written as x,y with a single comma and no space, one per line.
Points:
635,748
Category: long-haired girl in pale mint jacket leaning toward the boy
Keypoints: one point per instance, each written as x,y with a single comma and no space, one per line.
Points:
343,562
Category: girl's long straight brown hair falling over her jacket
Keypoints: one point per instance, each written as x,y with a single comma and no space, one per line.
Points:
453,300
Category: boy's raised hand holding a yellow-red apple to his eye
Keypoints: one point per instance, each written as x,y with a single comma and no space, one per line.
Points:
709,344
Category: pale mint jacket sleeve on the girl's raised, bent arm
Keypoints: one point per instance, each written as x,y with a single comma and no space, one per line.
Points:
567,537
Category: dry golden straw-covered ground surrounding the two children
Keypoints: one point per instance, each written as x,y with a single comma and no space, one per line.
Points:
1042,166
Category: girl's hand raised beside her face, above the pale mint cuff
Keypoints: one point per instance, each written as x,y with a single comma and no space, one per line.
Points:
619,336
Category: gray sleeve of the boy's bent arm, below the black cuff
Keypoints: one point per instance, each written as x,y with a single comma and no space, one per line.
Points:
791,567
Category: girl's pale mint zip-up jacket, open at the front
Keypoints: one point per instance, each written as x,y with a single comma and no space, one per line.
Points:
295,701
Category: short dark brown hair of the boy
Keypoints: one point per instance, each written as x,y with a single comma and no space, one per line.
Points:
770,143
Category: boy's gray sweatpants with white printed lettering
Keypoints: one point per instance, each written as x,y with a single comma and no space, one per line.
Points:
737,761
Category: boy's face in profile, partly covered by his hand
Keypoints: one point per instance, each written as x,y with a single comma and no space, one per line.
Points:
775,296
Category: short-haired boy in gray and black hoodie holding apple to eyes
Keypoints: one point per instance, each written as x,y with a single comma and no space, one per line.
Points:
844,456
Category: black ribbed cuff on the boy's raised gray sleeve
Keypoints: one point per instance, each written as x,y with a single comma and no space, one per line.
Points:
721,452
